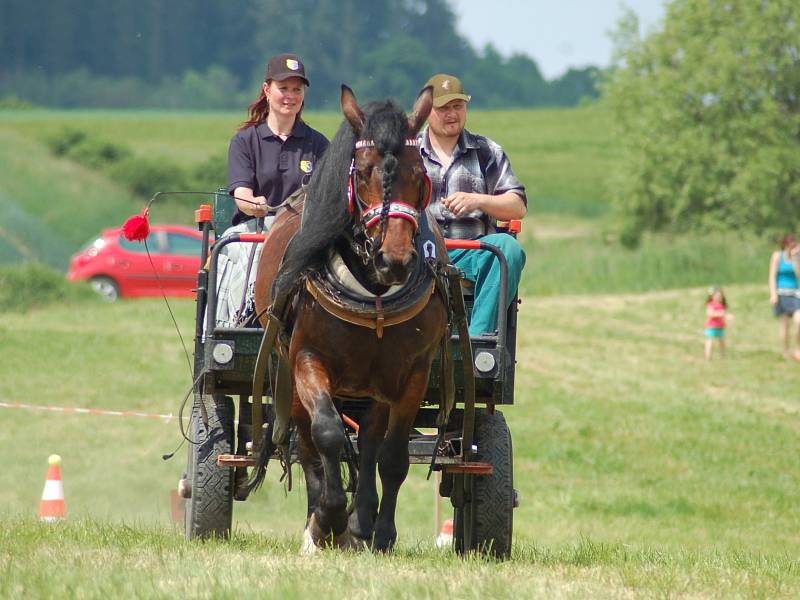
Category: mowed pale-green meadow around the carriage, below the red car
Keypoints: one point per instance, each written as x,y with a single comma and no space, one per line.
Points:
642,469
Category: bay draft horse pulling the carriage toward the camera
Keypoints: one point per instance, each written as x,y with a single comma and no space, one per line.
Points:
366,201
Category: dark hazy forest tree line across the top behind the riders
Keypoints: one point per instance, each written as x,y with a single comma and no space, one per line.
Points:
211,54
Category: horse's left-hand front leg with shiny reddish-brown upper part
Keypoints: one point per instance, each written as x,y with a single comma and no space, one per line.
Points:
313,388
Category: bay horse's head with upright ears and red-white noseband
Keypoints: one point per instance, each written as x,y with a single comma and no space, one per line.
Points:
389,188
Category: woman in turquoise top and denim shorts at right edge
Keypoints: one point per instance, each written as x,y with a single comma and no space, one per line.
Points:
784,294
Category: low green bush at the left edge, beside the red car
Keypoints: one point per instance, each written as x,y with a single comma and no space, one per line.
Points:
33,285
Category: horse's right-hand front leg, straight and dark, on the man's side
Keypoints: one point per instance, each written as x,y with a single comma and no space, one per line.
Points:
393,459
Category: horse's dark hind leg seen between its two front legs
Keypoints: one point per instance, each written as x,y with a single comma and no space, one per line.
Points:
365,504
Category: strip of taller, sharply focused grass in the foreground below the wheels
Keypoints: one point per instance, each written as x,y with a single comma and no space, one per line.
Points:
93,560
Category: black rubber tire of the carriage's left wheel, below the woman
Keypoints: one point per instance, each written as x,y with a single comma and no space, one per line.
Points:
209,510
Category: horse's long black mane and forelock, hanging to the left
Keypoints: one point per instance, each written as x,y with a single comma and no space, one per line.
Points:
325,215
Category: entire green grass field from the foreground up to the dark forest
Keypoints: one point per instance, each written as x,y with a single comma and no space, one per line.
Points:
643,470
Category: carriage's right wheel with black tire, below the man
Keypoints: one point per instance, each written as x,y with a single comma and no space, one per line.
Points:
485,521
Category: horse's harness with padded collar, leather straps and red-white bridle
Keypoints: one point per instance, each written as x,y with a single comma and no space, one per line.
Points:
335,292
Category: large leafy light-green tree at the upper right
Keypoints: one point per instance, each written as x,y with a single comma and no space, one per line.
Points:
708,115
